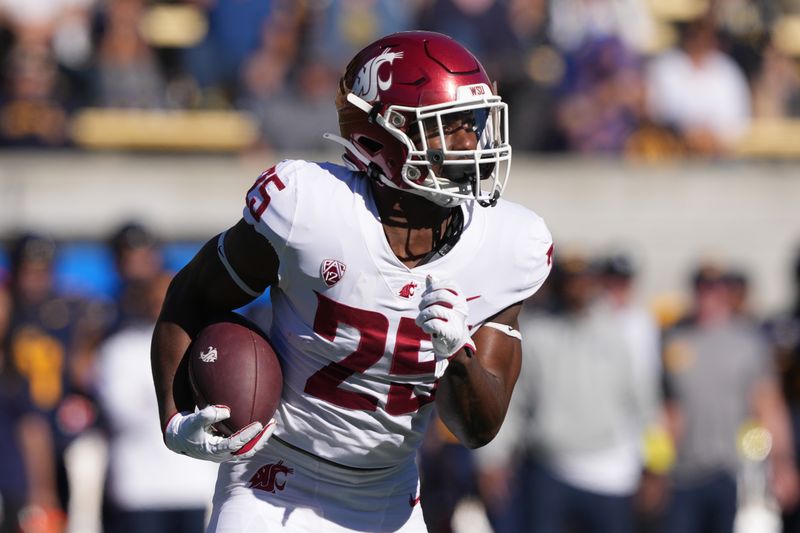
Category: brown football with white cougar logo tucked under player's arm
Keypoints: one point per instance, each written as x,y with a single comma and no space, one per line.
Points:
232,363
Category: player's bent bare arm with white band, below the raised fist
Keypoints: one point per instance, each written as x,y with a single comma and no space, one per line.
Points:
475,390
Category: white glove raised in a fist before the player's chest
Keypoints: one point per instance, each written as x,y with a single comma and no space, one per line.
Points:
443,314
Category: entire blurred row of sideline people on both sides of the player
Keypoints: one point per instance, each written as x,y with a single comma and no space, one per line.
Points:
626,418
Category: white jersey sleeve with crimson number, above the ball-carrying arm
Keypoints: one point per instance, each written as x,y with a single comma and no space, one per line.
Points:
271,204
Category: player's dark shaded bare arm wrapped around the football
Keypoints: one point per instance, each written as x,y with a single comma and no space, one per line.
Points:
201,290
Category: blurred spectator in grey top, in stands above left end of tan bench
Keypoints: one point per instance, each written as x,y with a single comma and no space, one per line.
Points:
127,73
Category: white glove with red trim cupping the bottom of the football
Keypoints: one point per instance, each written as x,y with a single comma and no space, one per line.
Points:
191,434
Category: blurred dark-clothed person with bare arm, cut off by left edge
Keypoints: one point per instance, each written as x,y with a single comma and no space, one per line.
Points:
27,473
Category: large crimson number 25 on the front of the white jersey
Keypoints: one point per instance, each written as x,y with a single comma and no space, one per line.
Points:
373,328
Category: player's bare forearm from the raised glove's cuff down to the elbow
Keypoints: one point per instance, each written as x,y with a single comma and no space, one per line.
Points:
471,401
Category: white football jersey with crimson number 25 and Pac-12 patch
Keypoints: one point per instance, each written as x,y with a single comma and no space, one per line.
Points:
359,375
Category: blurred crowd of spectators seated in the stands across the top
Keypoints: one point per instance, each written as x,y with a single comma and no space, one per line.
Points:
646,79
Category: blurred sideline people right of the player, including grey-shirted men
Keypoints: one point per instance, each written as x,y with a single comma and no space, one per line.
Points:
627,419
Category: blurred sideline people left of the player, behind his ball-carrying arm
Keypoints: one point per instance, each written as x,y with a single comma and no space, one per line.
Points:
81,449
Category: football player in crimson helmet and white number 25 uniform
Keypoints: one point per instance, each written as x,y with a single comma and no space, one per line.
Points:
396,281
